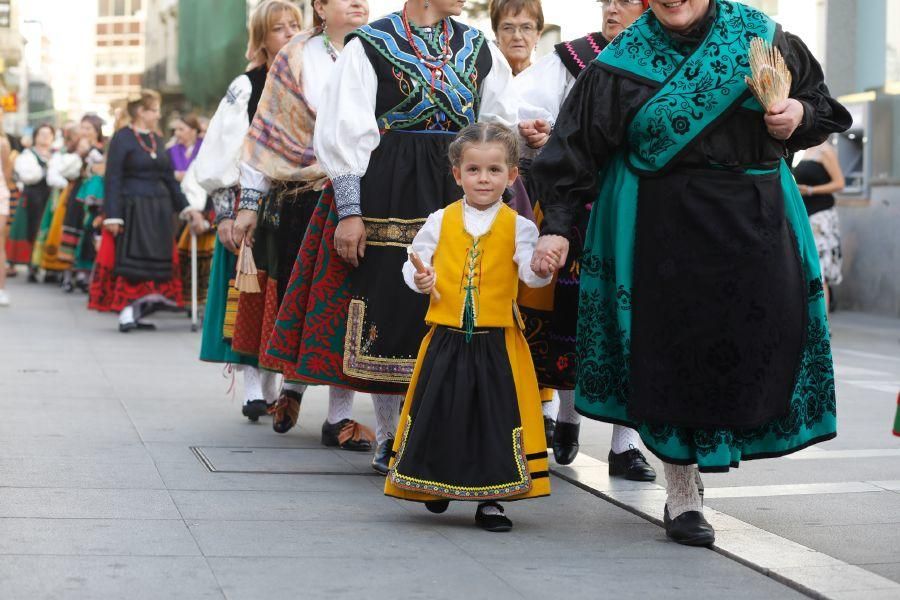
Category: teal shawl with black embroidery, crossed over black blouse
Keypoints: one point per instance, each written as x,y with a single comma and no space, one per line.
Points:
697,88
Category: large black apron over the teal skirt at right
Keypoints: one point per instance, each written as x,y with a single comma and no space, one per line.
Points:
719,301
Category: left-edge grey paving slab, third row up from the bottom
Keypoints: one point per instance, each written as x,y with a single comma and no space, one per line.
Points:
61,503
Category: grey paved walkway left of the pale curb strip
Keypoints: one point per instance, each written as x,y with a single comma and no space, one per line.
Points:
103,493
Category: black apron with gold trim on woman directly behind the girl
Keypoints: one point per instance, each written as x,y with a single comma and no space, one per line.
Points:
409,178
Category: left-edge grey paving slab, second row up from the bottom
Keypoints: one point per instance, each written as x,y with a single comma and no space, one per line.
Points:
103,537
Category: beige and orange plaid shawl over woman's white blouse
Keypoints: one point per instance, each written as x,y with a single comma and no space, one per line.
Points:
279,143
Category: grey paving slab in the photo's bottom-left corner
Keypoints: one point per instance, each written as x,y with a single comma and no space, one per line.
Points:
107,578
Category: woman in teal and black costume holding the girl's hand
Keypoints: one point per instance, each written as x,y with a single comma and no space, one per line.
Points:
701,319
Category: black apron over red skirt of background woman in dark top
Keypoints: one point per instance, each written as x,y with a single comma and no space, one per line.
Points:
144,252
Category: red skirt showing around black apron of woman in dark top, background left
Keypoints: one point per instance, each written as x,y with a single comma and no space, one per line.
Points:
110,292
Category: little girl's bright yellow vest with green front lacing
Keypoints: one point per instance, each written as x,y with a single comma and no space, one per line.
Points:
480,270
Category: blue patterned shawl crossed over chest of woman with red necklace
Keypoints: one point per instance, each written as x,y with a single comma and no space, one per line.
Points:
457,97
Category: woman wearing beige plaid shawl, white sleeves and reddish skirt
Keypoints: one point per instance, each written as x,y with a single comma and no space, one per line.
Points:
280,187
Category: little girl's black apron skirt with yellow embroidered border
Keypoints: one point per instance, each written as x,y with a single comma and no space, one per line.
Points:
463,439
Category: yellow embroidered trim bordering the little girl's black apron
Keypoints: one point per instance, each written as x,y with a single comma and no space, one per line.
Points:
462,492
